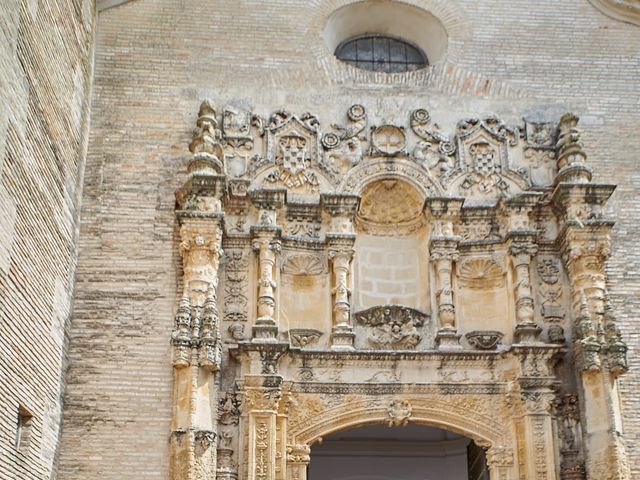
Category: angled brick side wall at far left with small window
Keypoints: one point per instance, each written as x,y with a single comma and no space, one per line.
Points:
46,58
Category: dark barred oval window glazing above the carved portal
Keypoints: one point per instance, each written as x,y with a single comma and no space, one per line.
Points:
381,53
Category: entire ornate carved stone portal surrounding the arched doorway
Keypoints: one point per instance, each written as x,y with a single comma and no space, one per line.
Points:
393,274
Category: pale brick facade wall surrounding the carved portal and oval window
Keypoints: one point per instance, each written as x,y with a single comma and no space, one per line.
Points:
157,59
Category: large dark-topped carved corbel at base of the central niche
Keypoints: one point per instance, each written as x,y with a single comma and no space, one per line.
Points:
393,326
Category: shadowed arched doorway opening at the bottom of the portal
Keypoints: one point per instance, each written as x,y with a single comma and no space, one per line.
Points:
412,452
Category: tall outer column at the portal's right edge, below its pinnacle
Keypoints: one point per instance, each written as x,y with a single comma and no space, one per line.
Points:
599,356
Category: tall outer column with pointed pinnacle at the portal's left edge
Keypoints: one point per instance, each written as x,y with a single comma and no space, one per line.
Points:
196,337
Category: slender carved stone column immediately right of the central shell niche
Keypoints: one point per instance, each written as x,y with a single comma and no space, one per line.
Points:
444,213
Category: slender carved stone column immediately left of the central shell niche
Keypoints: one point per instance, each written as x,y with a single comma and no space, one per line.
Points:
341,238
